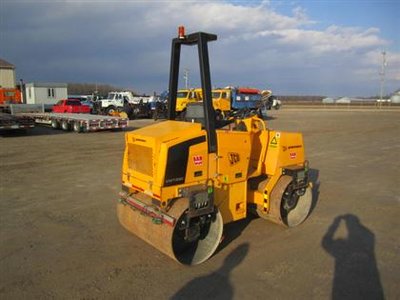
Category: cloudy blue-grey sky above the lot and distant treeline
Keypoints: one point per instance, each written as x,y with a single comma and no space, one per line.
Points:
330,48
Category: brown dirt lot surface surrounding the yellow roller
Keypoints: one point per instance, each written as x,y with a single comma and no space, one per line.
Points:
60,237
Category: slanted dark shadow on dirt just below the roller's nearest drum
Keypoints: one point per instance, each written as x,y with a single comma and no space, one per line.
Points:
216,285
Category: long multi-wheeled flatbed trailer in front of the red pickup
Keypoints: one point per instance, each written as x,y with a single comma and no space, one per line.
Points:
78,122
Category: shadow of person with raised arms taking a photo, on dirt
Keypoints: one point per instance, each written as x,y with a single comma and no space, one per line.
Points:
356,273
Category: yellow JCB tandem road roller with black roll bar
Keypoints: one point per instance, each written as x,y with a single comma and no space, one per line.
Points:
182,181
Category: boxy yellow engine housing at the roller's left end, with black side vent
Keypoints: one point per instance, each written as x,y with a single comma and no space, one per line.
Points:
146,158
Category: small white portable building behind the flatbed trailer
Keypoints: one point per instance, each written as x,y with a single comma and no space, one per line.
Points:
46,93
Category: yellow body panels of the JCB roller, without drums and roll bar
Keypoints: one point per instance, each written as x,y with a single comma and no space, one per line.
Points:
241,155
